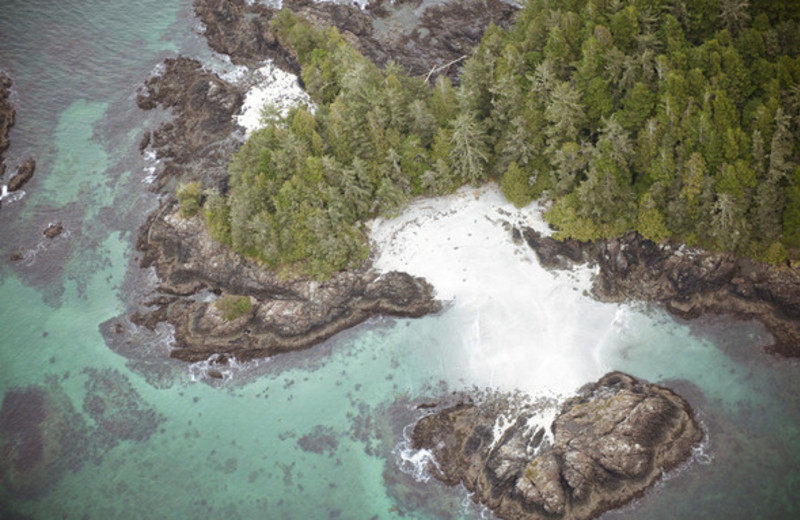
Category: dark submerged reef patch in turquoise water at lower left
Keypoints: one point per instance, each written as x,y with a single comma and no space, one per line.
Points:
43,436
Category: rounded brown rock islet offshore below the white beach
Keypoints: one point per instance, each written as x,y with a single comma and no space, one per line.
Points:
606,447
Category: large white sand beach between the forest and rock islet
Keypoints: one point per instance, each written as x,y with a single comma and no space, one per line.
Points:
518,326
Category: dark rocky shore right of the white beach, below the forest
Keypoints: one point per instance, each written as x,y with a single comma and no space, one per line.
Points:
688,282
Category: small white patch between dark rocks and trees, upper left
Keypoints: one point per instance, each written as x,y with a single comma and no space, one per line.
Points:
275,87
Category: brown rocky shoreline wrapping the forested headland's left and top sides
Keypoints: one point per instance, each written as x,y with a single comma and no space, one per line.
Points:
196,144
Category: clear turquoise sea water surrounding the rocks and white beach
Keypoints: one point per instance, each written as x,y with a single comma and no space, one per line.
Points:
88,433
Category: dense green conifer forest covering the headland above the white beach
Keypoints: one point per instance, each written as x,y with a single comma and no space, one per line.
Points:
675,121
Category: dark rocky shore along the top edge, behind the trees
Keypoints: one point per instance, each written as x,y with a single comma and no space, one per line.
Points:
384,31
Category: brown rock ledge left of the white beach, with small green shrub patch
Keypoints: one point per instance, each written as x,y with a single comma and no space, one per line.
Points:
280,316
